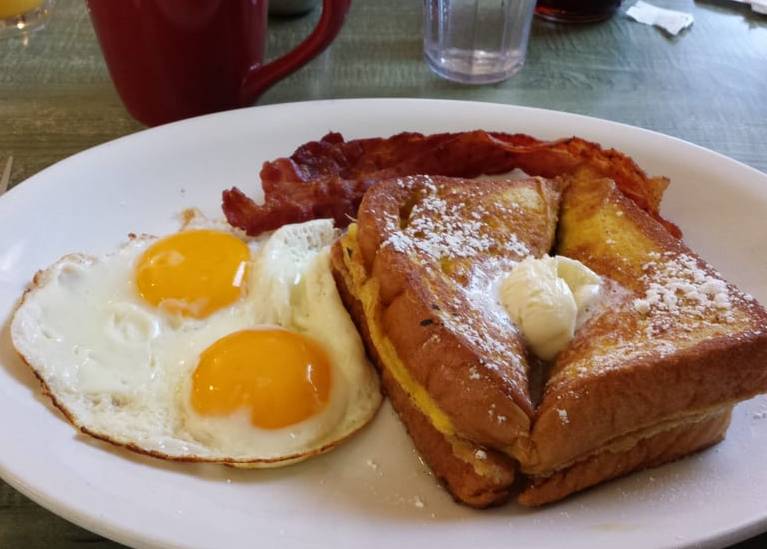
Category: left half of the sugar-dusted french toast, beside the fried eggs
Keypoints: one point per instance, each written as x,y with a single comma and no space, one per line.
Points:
417,272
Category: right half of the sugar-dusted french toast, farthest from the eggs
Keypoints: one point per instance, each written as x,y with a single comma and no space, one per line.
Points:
654,375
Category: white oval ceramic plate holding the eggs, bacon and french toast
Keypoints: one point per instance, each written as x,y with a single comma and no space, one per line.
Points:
373,491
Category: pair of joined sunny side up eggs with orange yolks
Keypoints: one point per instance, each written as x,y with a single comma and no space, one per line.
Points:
203,345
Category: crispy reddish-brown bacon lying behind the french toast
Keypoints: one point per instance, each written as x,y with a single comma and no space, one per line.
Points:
327,178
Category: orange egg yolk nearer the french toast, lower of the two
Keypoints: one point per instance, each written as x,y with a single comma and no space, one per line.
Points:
281,377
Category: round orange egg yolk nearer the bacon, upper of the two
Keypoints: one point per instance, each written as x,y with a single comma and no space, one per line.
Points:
193,273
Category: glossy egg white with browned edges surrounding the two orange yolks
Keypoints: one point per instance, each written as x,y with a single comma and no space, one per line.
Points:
121,369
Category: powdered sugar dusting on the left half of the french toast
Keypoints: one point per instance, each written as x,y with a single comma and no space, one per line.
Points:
449,229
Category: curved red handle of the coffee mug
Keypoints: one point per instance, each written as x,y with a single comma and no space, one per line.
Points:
261,77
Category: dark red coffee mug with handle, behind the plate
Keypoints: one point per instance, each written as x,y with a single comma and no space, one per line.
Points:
172,59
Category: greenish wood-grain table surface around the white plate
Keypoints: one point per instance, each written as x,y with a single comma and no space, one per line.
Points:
708,86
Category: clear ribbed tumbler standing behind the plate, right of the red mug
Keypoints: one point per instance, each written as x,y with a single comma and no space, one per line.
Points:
476,41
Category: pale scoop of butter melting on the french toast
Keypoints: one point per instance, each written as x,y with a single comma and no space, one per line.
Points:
546,298
